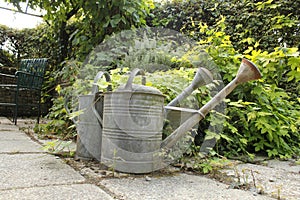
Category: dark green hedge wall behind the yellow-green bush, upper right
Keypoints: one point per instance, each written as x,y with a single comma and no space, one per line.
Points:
269,23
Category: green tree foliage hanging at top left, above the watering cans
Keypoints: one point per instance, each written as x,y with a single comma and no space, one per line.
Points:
77,26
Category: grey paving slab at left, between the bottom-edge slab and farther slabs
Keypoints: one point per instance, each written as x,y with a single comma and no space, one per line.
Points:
28,170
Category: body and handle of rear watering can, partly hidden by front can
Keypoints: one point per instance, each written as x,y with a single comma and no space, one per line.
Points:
89,124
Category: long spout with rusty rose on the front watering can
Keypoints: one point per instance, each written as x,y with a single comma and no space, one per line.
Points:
247,72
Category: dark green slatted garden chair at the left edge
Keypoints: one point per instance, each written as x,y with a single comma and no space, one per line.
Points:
29,76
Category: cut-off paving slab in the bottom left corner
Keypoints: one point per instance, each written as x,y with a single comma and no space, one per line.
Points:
65,192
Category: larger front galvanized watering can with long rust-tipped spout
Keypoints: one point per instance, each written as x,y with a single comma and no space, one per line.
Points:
133,117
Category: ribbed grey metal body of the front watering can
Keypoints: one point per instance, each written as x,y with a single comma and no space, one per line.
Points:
132,128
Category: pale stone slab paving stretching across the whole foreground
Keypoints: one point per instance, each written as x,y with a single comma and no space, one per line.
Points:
27,172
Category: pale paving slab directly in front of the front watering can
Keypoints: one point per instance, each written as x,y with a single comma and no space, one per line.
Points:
179,187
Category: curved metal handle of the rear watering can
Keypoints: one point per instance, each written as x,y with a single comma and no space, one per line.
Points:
95,90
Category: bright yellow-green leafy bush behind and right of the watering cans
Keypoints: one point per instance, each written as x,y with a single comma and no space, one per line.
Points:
261,116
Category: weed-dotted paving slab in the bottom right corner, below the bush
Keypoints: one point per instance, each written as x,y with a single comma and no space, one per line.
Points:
278,179
